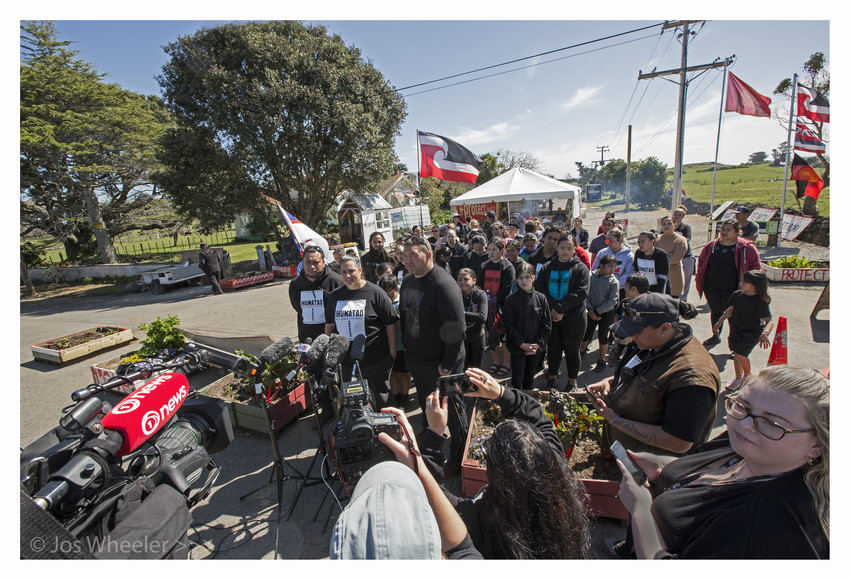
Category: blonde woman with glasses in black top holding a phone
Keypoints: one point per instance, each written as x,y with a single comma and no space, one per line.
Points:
761,491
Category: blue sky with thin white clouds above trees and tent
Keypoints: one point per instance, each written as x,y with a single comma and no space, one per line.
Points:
560,111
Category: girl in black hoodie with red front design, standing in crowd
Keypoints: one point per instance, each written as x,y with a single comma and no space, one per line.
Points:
497,279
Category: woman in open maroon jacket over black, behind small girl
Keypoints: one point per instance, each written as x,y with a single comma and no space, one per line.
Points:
720,270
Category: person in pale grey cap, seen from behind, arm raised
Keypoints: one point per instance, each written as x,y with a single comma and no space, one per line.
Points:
398,511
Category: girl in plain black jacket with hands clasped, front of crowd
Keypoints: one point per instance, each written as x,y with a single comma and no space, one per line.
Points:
528,323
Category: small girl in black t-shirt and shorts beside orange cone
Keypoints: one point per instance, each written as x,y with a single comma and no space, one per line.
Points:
749,321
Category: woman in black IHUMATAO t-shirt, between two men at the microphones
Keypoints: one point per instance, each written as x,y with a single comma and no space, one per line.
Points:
360,307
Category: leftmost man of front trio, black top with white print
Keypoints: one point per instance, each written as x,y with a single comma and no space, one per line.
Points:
309,291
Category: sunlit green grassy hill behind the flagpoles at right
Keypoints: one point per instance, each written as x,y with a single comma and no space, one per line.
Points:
754,184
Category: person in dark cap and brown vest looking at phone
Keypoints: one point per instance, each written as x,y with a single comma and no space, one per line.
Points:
662,395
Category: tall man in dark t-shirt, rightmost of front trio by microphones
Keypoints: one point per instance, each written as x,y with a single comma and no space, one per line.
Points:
434,328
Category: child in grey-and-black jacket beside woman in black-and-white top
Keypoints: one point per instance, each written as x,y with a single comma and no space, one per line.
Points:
601,306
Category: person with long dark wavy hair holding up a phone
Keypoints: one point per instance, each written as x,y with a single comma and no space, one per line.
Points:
525,460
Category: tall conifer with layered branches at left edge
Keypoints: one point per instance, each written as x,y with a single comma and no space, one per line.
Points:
86,147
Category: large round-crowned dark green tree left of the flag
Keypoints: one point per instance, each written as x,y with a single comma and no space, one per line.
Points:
274,108
